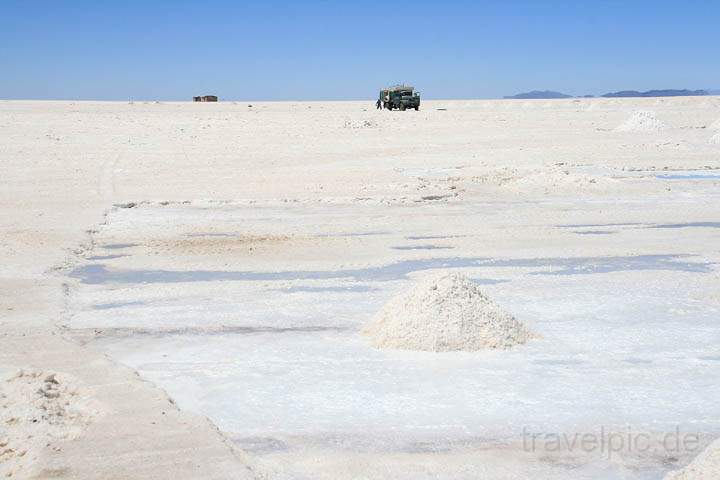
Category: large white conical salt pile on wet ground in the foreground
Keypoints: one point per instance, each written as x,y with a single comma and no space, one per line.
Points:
446,312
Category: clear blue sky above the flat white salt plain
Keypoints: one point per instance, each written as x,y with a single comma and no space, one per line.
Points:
293,50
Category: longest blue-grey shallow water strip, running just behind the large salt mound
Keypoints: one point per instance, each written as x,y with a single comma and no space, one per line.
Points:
99,274
